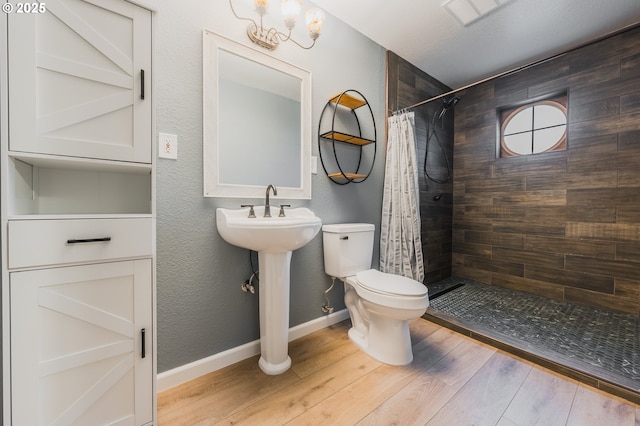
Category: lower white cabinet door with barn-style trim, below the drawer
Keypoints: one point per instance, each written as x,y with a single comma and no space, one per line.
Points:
75,345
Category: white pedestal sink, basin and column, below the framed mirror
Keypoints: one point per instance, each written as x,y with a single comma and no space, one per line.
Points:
274,238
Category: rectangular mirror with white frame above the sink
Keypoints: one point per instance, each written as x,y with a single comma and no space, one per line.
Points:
256,123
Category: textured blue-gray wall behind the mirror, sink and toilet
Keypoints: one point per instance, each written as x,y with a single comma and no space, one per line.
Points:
201,310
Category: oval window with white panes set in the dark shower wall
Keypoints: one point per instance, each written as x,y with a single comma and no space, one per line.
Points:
534,128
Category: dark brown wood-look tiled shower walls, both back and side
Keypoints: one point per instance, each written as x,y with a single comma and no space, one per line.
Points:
565,225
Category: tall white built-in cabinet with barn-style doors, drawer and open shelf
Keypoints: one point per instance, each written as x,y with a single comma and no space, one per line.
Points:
77,175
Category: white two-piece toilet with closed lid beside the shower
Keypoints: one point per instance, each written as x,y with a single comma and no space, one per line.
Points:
380,304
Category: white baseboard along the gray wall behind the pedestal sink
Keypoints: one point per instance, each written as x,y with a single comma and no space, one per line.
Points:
184,373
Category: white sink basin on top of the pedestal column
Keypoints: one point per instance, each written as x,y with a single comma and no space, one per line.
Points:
268,234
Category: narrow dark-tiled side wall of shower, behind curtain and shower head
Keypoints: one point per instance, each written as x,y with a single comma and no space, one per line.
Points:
407,86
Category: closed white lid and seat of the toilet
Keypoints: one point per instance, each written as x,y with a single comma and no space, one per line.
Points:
389,290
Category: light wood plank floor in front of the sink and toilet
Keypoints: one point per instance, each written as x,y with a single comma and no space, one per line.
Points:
453,380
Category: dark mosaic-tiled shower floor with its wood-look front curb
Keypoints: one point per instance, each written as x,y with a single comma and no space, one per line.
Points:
595,346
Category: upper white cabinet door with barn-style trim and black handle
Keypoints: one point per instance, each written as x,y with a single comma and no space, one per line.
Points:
76,80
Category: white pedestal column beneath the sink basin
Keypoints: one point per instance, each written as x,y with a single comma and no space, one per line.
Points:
274,311
